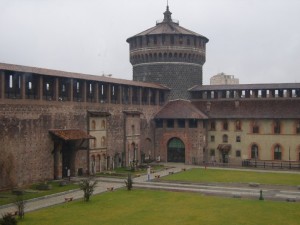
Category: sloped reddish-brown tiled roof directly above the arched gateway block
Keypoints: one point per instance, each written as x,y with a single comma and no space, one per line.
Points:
180,109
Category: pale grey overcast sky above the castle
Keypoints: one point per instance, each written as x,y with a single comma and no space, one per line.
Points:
257,41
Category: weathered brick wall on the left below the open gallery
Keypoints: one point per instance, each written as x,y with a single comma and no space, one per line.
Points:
25,138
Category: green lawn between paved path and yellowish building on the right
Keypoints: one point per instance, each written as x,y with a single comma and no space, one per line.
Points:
235,176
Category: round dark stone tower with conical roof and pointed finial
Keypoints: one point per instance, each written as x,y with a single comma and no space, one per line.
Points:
170,55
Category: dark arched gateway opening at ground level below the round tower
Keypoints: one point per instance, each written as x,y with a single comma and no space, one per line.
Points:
176,150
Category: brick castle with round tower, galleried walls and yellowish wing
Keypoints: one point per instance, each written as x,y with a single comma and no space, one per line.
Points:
53,121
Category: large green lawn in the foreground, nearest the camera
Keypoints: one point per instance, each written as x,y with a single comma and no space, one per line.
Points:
162,207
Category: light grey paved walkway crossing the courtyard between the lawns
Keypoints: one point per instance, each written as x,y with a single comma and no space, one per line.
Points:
282,193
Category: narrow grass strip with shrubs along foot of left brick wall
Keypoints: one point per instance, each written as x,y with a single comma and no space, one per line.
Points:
7,197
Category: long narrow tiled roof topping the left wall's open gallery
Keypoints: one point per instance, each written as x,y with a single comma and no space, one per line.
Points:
57,73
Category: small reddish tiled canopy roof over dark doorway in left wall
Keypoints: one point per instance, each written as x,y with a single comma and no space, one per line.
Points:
71,134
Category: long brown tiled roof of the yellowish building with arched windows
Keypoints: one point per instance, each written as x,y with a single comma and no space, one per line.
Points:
254,108
